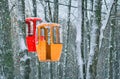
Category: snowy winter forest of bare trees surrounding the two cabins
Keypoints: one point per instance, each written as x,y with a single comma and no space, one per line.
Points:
89,31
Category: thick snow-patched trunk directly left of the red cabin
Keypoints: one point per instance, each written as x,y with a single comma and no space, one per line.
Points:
21,59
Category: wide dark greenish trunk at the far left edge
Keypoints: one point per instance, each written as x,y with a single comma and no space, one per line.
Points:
6,52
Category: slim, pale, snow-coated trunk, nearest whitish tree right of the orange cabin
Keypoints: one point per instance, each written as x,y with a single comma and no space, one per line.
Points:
79,40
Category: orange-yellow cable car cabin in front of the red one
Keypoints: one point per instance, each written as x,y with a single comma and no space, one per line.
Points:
48,46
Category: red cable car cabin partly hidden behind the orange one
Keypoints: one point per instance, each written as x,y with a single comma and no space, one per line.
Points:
31,33
